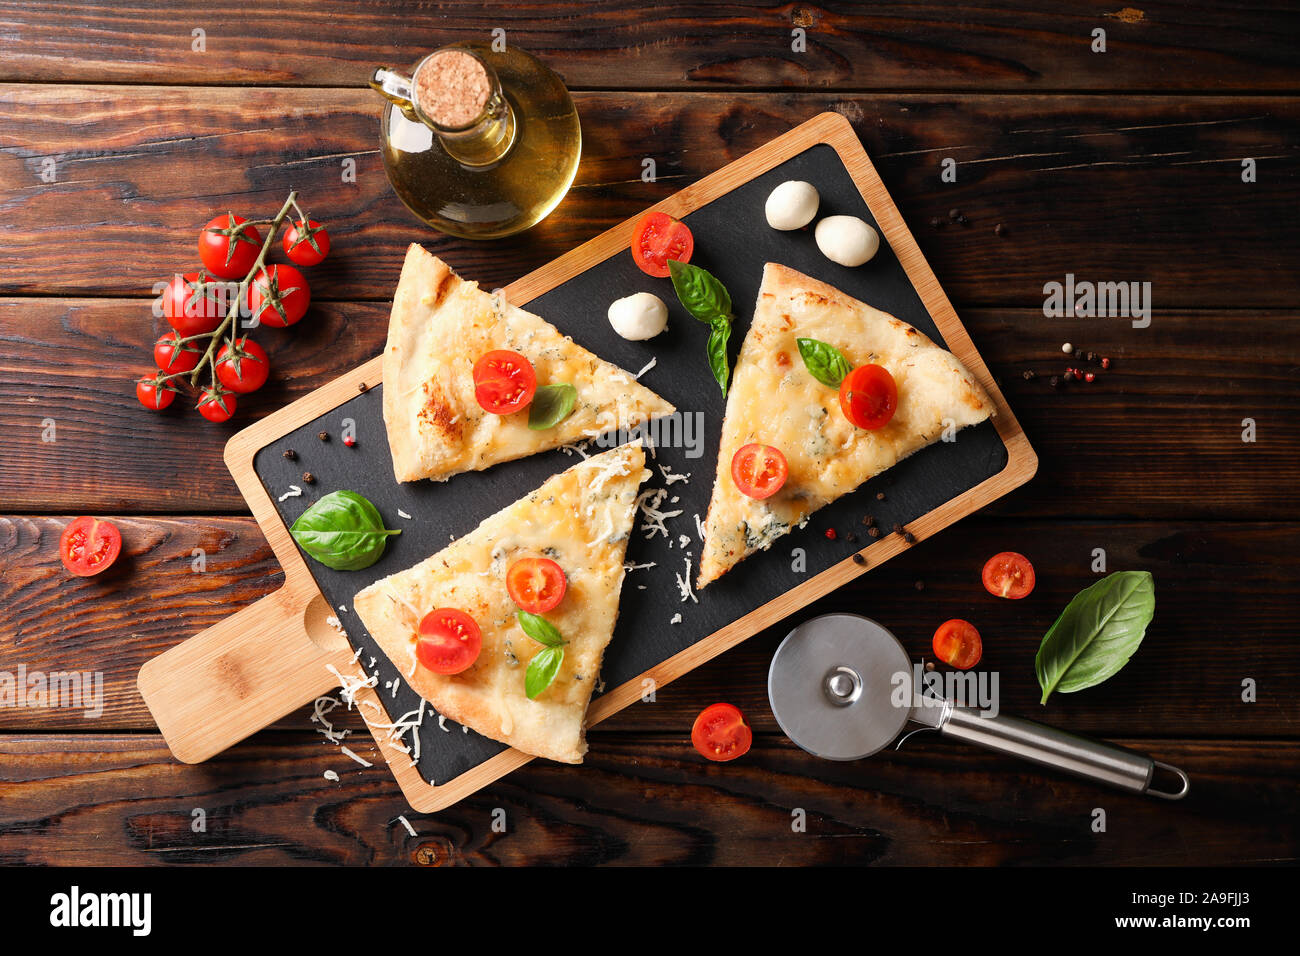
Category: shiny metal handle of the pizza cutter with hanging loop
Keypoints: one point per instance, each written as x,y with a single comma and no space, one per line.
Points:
1060,750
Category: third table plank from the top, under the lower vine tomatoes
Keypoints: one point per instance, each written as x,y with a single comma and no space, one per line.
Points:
1159,436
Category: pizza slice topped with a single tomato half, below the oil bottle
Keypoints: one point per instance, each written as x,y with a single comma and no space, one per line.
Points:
436,413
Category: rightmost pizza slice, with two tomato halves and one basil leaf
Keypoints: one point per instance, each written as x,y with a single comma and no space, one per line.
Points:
777,403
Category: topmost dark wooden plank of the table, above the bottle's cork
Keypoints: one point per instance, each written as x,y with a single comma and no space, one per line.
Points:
744,44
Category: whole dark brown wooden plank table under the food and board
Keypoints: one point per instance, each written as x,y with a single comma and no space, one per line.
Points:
1125,166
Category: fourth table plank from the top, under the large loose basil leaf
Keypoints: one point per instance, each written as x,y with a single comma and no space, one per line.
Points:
1225,612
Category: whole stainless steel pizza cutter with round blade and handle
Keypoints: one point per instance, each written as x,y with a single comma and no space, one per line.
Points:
843,687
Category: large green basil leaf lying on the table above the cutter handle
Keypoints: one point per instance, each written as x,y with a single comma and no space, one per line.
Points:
1097,634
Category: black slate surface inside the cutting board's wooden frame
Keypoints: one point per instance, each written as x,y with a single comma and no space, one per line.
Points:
734,243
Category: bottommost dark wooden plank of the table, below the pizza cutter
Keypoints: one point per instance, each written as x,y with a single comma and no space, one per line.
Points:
98,801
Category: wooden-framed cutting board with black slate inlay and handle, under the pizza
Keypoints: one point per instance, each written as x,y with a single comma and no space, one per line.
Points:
281,652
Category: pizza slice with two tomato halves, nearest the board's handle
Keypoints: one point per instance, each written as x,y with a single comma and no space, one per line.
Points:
578,521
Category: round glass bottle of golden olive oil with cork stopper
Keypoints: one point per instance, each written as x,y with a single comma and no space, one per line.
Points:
479,144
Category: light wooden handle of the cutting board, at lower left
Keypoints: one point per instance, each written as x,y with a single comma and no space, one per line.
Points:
244,674
